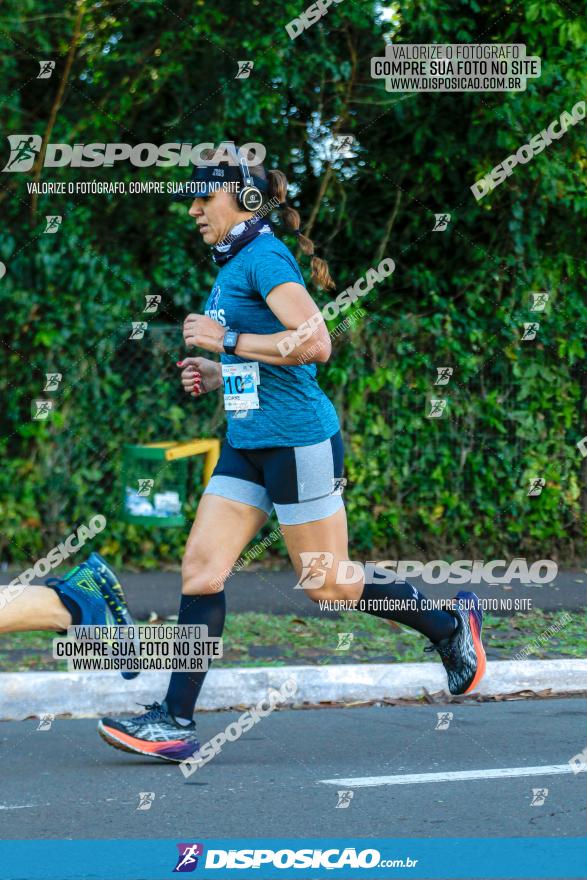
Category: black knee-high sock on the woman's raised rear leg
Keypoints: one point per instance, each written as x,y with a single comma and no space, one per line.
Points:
434,624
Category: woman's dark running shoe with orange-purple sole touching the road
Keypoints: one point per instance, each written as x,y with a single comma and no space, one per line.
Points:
156,733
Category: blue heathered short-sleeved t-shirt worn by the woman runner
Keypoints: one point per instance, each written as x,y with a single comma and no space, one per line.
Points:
293,410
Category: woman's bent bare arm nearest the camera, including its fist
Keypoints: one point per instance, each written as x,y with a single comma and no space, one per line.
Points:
305,341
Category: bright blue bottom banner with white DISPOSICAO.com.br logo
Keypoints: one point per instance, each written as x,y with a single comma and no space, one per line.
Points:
303,858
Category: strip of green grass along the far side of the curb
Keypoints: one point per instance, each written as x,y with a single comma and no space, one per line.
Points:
257,639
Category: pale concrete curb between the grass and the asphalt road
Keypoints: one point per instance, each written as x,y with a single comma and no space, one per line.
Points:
86,695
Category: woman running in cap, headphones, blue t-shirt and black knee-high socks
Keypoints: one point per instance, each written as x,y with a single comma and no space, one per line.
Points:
283,448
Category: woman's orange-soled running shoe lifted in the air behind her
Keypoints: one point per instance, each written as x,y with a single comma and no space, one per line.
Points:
462,654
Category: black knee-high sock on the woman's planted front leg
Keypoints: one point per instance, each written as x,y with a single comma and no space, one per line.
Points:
184,687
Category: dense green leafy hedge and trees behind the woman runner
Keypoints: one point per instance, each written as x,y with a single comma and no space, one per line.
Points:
451,486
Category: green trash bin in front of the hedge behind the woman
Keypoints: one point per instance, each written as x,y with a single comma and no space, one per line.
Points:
154,488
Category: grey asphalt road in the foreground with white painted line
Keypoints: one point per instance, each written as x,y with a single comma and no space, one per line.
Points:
66,783
